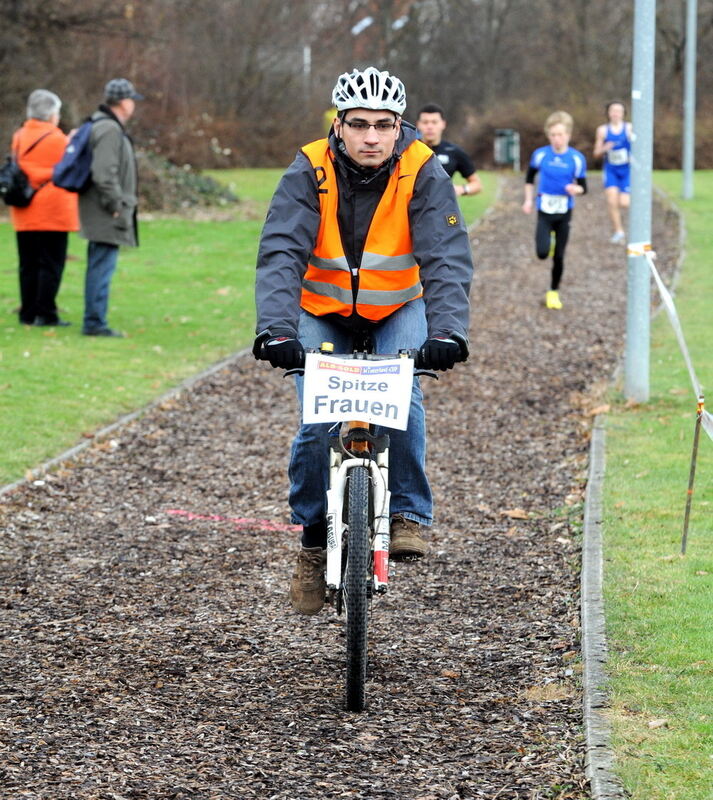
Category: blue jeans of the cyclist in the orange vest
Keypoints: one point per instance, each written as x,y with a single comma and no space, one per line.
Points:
309,464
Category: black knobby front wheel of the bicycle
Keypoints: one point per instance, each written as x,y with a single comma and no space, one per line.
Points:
355,586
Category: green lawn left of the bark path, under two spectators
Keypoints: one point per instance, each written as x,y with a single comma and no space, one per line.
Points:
184,298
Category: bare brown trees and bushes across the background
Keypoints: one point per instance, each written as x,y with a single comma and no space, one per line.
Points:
247,81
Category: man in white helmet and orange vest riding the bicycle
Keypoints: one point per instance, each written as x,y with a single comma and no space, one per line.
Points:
363,238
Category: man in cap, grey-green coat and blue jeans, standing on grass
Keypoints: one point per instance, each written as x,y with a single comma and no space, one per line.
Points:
107,209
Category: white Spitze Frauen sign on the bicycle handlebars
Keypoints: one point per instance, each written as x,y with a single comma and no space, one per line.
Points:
342,389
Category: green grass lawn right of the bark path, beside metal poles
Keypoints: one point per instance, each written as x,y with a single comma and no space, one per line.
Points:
659,606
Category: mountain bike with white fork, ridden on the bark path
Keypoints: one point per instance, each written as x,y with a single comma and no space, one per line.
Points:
358,526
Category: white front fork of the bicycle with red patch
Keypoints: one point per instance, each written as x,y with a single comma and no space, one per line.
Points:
339,467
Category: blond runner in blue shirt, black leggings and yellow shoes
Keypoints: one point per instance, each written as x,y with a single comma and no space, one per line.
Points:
563,176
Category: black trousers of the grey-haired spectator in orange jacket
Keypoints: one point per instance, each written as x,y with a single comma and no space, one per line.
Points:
42,255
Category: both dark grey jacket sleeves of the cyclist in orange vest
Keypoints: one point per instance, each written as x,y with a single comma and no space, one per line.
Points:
440,247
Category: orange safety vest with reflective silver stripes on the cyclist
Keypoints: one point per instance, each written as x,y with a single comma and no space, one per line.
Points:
388,275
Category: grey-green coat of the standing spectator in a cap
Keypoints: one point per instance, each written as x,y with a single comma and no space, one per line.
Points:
114,185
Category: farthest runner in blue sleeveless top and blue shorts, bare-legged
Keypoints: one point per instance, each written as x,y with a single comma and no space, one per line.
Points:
613,143
